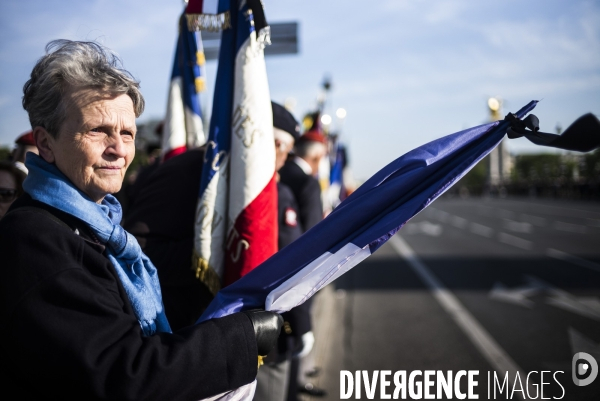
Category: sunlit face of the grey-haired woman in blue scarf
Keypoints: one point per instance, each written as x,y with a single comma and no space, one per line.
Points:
95,143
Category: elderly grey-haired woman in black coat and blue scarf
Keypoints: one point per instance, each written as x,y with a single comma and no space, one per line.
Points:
82,315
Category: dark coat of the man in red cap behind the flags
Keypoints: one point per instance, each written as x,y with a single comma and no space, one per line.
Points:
307,191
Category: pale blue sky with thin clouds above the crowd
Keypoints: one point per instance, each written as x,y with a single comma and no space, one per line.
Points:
406,71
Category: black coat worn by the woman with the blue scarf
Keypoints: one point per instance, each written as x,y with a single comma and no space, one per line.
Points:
68,330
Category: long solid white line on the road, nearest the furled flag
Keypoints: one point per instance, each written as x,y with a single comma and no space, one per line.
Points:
479,336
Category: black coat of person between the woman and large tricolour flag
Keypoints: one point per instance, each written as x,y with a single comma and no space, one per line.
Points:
162,220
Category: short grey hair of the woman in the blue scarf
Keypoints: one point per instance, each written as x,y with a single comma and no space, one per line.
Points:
74,65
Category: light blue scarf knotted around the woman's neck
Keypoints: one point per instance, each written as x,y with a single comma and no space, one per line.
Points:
46,184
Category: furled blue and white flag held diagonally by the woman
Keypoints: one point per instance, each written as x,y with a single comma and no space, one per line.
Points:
362,223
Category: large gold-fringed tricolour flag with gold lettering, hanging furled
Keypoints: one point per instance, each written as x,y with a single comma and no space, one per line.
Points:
236,217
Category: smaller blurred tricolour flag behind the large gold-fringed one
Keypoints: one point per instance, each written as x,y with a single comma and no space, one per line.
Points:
183,123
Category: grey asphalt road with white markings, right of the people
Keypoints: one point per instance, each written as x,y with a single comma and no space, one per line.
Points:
493,285
